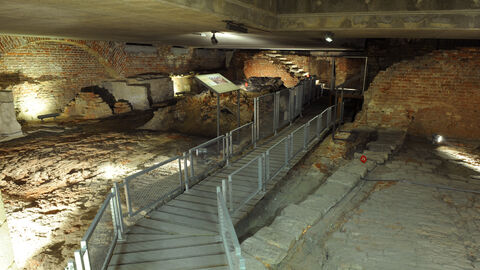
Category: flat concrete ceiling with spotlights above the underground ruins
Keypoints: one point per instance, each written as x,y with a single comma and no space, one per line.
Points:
182,22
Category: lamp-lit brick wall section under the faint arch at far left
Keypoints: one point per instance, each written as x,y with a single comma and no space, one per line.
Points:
48,75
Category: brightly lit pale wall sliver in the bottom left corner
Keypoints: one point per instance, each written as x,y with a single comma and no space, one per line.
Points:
6,252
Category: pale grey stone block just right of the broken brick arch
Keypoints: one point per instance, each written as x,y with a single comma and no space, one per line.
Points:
136,95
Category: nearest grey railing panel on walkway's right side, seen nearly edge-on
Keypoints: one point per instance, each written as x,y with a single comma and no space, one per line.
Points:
231,245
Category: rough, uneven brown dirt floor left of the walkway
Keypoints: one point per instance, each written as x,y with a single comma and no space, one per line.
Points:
54,179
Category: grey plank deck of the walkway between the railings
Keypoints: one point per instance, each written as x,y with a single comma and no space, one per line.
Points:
183,233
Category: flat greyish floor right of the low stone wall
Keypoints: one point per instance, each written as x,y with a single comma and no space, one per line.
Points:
421,210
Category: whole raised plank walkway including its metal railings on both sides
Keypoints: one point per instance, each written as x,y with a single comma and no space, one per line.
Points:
192,225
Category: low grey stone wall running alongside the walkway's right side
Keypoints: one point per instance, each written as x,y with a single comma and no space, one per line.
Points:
269,246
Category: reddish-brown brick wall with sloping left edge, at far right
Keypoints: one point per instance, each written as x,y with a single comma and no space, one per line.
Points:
435,93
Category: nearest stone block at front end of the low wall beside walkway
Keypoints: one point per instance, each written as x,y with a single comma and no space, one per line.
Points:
262,251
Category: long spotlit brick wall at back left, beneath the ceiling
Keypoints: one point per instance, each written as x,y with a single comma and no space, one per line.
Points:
45,73
